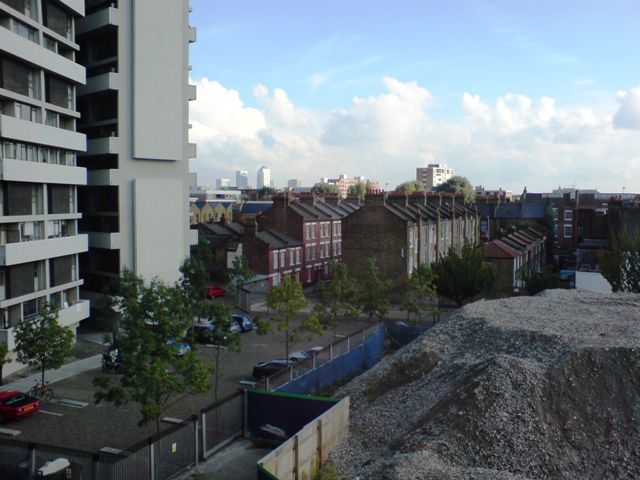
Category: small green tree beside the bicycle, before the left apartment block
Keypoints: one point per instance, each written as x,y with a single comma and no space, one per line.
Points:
42,342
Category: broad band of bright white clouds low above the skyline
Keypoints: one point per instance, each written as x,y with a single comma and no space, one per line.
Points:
510,142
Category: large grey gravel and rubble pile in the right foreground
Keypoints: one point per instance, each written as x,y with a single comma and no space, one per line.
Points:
520,388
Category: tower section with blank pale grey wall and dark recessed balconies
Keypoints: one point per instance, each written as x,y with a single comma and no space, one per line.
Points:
135,116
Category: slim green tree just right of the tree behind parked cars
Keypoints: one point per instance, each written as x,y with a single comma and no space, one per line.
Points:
337,297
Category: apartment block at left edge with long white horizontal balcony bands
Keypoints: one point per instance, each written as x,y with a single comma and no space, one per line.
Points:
40,171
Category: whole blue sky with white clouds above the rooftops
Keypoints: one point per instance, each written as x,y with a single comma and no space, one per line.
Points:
509,94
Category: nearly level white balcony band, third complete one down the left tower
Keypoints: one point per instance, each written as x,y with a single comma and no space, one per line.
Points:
38,172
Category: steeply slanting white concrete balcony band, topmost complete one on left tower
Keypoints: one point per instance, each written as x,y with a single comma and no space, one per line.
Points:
35,54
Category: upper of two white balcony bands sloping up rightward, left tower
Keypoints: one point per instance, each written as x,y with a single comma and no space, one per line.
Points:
32,251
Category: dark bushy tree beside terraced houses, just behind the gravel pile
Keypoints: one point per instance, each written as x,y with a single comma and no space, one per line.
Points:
461,276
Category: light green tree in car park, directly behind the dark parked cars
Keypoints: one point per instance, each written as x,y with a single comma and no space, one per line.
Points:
285,302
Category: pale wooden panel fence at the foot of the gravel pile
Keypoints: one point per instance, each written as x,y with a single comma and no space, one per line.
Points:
301,456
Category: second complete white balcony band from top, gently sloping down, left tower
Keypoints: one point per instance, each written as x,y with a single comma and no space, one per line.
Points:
31,132
